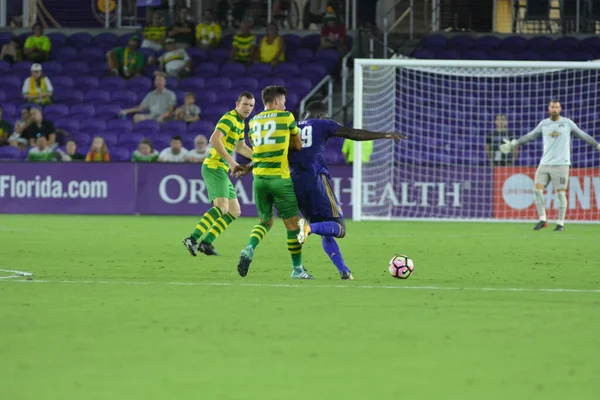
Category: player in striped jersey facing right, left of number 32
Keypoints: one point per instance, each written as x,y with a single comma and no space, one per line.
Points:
228,135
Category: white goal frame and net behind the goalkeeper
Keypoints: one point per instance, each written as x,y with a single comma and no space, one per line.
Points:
455,114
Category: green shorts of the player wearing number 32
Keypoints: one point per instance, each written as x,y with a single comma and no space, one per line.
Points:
278,192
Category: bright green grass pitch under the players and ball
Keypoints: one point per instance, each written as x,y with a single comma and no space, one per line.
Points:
117,309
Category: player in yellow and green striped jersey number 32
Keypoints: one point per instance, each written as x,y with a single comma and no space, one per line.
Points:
273,132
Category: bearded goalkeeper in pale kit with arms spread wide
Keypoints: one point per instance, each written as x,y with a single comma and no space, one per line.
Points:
554,165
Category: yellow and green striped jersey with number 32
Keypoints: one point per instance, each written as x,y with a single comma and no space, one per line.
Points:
270,133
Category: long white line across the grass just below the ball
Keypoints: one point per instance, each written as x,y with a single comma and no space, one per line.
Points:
309,286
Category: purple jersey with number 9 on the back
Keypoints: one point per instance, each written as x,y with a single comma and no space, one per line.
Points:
314,134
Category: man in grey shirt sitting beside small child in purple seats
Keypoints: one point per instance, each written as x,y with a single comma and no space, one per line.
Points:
159,103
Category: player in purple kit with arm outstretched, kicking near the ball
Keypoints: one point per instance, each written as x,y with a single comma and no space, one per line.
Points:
312,184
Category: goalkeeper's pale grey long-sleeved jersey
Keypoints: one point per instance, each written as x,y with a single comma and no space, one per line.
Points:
557,140
